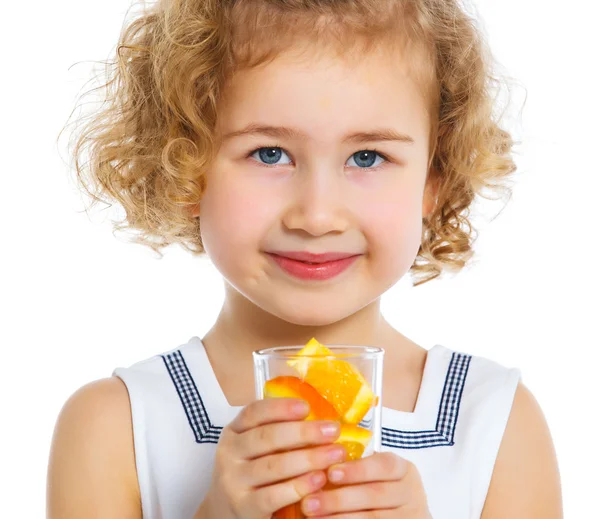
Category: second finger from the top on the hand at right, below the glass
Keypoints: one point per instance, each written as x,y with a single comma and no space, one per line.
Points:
354,498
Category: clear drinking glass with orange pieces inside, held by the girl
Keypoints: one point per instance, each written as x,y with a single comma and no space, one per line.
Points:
282,372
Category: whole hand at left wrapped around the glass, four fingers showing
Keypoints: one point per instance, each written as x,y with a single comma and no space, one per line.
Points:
268,457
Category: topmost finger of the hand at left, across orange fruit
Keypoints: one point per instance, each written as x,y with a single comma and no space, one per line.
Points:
269,410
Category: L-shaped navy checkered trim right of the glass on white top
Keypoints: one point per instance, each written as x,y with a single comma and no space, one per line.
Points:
443,434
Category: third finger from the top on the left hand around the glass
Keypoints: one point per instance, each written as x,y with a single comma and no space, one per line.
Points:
285,465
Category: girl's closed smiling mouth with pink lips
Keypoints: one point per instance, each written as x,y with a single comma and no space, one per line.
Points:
311,266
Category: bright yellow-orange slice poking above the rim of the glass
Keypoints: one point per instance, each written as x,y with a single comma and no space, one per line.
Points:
338,381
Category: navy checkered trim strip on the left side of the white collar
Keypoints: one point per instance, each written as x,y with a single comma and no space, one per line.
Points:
204,430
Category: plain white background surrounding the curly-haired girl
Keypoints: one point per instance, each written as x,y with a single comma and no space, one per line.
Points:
77,302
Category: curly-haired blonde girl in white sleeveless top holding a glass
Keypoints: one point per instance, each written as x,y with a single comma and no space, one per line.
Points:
317,151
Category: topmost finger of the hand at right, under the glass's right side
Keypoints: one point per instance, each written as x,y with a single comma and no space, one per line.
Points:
382,466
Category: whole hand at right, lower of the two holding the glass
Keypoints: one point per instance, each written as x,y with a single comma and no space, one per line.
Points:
381,486
